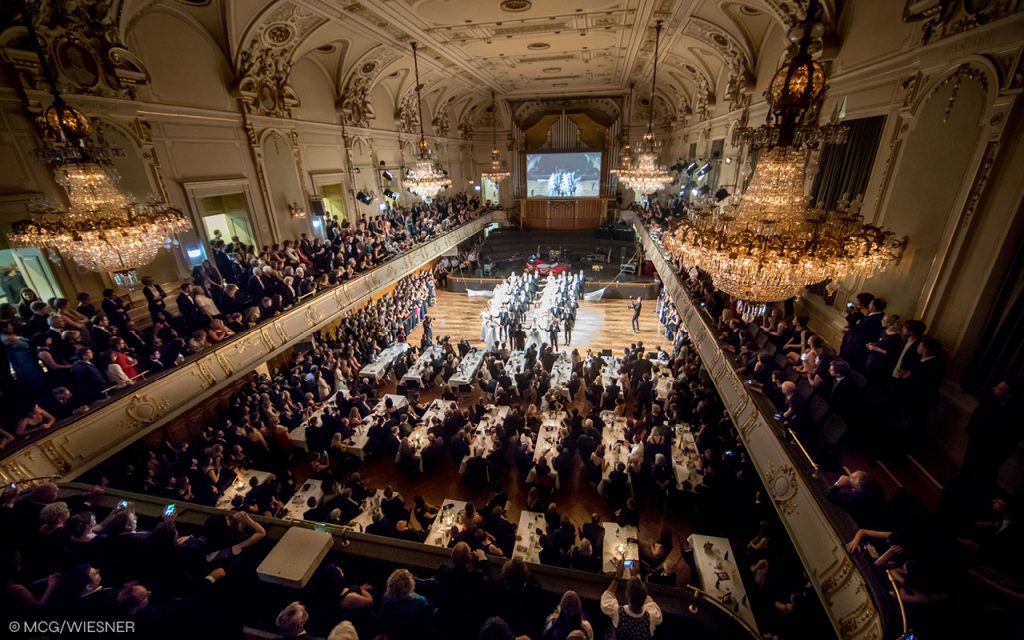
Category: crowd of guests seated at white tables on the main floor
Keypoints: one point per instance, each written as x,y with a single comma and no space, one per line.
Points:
727,498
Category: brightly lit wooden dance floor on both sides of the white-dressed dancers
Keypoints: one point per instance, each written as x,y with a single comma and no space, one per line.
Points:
600,326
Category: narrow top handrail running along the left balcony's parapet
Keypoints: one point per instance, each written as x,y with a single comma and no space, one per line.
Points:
123,392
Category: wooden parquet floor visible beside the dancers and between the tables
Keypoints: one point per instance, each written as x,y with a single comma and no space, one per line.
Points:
600,326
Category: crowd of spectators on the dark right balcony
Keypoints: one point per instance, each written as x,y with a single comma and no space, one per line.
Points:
882,383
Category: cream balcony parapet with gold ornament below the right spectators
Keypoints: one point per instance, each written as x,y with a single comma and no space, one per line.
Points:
856,599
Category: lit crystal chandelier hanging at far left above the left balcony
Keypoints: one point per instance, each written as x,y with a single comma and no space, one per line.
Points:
103,230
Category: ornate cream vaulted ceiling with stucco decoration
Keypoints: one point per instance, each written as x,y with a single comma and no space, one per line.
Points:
521,50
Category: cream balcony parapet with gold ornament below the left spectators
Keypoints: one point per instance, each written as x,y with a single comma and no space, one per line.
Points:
74,447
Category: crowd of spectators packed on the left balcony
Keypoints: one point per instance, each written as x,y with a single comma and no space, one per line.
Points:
61,358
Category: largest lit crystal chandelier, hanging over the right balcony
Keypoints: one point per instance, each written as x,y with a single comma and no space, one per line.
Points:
769,245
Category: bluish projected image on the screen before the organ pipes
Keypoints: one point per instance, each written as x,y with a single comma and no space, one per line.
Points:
564,176
